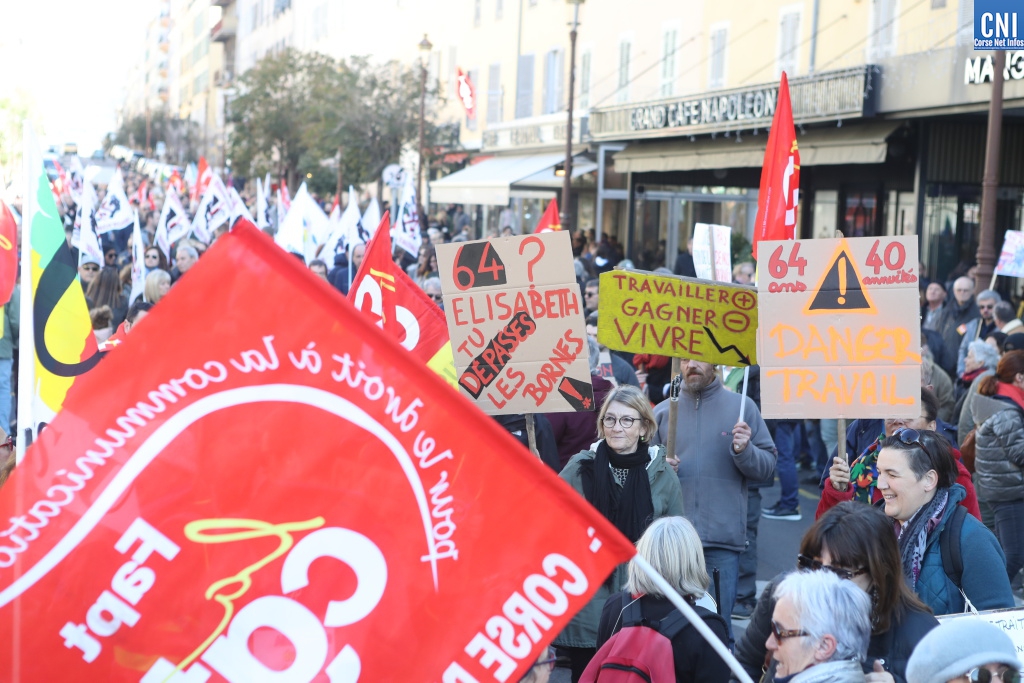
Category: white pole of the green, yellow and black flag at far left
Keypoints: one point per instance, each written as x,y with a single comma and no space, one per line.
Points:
27,332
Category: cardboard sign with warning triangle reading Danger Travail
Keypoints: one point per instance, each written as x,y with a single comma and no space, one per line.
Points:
840,328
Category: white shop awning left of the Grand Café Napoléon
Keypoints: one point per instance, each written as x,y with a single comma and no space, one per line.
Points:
490,182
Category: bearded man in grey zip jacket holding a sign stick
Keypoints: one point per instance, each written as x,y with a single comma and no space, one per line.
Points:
719,456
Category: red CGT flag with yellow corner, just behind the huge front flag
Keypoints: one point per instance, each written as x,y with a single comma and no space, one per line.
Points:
394,303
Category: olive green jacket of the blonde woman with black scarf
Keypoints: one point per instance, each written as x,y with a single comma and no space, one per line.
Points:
667,496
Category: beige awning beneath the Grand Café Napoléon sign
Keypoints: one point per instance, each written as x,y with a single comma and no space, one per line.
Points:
824,147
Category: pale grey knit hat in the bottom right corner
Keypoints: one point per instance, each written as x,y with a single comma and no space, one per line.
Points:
956,648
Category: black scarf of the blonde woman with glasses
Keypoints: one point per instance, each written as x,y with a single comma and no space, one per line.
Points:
630,508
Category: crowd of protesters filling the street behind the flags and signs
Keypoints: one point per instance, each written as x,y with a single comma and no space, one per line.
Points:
922,518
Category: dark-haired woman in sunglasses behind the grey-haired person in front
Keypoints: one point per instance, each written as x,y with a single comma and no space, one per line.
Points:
856,543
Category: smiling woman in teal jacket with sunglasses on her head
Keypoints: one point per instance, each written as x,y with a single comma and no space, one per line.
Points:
918,481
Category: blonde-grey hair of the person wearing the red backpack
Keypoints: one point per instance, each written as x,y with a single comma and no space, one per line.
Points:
673,548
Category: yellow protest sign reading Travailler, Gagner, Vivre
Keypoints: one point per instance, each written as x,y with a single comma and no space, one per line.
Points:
644,313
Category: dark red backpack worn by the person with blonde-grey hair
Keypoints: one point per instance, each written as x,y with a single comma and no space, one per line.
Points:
641,652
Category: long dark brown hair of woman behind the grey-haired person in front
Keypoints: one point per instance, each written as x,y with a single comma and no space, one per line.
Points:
860,536
